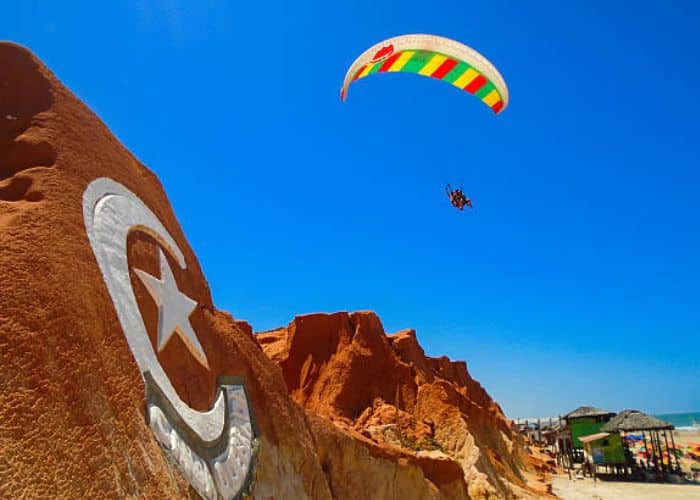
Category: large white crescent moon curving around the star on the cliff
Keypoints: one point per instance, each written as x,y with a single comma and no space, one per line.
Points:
111,211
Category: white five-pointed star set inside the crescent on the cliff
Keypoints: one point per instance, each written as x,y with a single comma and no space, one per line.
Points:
174,309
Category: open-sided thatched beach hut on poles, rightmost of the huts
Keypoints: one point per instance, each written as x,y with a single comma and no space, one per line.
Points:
658,454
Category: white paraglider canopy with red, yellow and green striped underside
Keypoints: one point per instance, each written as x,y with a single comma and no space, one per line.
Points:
436,57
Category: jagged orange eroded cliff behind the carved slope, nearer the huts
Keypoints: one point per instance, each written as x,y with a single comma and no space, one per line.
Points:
344,368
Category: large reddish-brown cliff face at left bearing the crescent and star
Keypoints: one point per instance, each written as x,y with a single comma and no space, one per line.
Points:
73,399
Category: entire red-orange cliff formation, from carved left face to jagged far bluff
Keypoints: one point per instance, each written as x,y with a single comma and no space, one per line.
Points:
119,377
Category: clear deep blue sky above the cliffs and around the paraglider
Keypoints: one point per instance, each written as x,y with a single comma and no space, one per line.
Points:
575,280
